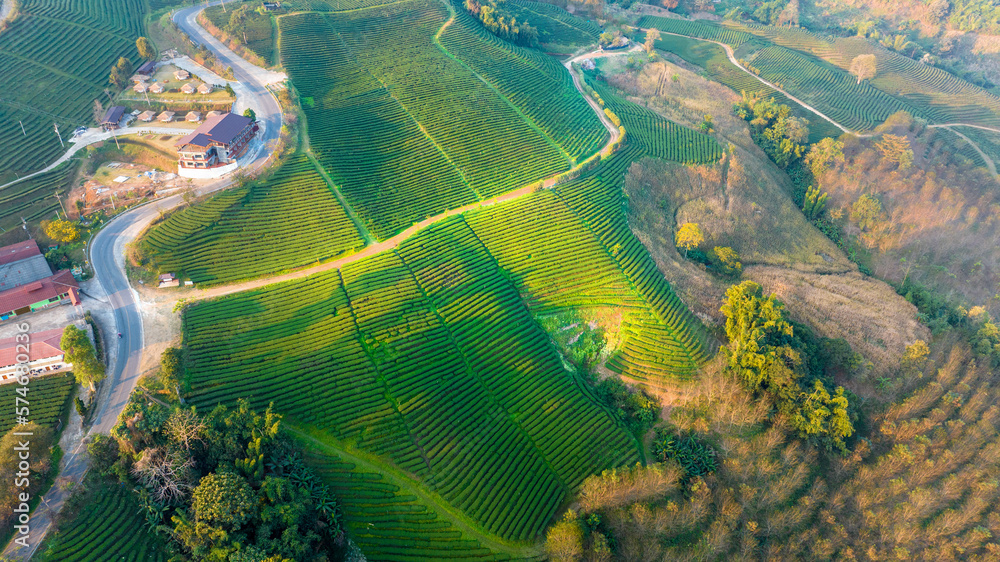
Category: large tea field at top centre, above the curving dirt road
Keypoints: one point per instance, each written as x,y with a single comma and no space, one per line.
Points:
414,127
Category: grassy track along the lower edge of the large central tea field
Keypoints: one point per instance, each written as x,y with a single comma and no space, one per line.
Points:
434,501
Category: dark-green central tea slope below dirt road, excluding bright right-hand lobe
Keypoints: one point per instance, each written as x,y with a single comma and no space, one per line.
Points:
446,375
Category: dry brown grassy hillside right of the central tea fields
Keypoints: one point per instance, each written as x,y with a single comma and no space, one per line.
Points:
744,203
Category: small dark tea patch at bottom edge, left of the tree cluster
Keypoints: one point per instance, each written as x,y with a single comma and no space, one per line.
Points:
108,528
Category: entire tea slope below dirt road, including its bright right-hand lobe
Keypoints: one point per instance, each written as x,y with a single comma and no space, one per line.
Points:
429,357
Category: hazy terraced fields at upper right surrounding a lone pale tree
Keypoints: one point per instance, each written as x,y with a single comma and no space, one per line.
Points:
814,69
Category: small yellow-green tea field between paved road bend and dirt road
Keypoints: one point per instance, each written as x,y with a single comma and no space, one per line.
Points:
288,220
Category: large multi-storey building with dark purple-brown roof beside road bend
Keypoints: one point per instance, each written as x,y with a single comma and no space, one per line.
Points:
211,150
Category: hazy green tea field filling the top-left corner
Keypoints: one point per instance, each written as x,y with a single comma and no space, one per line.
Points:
57,81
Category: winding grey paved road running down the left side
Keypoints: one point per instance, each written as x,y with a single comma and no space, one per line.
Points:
107,257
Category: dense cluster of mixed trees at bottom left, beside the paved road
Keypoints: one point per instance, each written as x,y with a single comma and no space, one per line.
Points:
229,485
